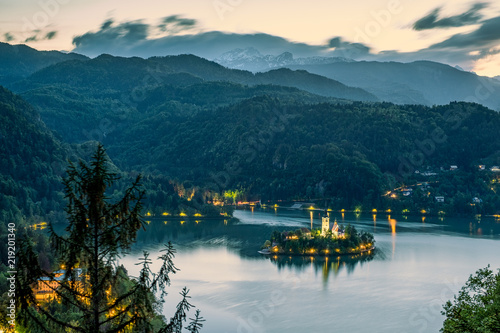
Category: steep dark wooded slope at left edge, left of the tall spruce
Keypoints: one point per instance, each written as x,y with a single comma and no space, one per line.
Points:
30,162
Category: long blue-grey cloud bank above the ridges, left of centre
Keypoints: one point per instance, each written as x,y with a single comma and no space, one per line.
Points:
145,40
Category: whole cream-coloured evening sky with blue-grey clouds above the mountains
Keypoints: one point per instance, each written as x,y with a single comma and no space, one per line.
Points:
463,33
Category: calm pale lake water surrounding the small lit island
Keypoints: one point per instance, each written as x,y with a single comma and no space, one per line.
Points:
418,265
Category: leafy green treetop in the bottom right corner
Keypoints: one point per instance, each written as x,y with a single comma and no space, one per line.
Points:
477,306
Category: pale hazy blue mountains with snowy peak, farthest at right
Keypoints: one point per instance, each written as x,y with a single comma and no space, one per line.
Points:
419,82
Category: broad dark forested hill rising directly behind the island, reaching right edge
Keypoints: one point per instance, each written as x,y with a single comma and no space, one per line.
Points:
352,153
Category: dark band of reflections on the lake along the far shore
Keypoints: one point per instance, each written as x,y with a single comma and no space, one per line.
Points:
232,231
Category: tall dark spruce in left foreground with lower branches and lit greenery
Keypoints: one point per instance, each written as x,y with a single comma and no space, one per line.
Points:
96,294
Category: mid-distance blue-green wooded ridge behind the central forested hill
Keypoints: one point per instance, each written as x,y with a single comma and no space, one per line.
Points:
111,87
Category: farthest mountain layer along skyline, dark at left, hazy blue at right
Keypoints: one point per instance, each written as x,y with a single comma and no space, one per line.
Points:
419,82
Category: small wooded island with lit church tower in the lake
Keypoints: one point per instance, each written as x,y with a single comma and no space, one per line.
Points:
339,240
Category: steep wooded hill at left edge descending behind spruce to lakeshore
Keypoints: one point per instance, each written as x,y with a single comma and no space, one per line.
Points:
33,163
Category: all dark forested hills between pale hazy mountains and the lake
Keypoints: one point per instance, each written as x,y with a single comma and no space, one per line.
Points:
196,129
